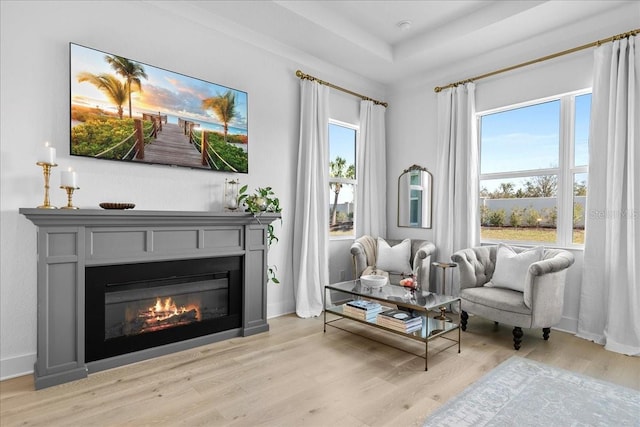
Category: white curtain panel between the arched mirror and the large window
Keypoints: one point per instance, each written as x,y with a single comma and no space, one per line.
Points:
457,219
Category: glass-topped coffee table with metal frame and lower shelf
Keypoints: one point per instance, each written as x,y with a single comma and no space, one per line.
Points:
426,305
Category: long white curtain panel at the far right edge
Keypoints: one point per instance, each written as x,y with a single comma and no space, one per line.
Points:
610,295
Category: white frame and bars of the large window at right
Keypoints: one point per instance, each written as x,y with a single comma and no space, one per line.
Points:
566,170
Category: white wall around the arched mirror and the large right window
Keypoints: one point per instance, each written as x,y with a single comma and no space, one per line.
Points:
412,113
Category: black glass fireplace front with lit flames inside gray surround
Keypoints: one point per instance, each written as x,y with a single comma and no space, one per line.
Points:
137,306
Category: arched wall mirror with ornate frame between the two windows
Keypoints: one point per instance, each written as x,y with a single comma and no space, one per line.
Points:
414,198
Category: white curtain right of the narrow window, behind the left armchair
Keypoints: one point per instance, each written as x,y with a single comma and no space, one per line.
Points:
371,172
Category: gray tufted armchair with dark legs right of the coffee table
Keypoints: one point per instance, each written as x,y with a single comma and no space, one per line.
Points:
539,306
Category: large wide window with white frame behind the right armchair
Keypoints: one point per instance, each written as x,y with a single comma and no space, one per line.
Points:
533,171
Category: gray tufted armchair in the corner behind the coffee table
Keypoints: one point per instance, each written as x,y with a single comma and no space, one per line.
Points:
364,254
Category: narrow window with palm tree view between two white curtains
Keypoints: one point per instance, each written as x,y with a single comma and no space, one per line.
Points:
342,179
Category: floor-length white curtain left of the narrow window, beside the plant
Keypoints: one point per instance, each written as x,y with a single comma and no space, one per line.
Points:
311,223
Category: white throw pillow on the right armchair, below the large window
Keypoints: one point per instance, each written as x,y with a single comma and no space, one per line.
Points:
511,267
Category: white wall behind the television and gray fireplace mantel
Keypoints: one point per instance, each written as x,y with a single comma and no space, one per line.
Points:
34,108
